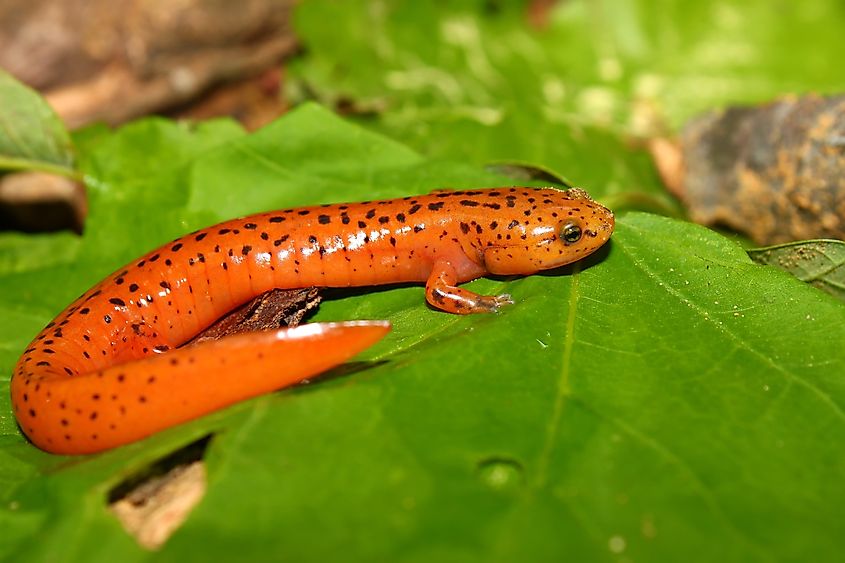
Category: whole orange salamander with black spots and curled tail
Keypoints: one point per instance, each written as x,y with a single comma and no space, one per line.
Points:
105,372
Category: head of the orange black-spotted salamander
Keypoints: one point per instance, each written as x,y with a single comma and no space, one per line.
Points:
543,229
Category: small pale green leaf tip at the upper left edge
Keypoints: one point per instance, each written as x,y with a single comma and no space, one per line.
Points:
32,137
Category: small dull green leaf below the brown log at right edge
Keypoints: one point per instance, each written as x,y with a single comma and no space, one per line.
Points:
821,263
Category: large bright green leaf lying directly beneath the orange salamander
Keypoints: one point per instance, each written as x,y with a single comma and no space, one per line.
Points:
666,400
